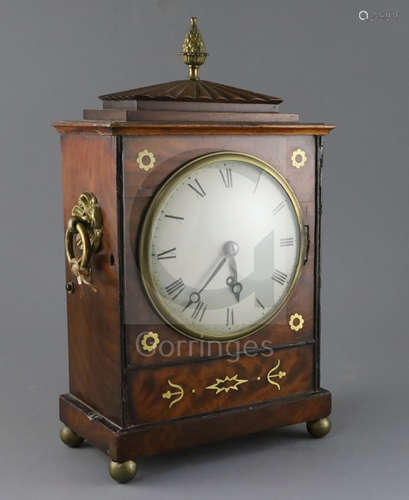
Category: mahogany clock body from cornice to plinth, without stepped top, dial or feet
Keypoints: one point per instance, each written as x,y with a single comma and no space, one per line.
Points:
121,400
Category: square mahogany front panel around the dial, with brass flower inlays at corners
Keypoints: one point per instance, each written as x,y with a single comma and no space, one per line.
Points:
140,186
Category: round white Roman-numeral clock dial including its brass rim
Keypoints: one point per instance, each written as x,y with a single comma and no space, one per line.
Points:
221,246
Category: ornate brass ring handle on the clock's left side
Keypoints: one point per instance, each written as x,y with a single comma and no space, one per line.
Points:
84,229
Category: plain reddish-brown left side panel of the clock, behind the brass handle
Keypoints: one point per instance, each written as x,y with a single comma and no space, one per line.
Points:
89,164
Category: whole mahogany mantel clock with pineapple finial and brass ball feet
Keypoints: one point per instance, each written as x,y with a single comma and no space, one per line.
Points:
192,214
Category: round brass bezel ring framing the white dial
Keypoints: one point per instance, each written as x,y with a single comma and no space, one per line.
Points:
146,234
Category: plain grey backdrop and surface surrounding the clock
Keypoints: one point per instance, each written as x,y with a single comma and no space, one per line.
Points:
55,57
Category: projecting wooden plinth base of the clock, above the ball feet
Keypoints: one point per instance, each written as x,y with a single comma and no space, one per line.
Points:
145,440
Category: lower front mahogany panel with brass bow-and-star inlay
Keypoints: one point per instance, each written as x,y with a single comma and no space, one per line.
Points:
190,389
